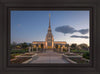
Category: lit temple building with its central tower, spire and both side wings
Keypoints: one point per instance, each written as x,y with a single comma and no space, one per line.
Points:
49,42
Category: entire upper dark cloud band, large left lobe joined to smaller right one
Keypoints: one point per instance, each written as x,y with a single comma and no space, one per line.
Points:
68,29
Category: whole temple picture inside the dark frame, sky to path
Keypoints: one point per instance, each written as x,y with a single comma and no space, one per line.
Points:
61,43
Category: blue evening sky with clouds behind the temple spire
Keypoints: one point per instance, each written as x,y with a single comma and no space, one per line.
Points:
69,26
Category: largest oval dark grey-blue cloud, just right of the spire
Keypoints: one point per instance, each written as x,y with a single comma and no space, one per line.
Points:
65,29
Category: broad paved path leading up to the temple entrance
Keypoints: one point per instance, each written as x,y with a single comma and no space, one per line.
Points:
49,57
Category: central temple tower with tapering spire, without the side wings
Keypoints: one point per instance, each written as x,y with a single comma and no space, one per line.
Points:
49,41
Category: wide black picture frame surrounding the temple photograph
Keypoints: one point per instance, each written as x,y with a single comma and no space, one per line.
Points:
93,6
